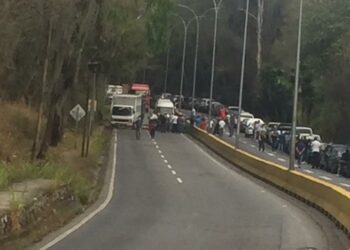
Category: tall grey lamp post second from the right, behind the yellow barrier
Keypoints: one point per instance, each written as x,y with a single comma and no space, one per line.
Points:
242,74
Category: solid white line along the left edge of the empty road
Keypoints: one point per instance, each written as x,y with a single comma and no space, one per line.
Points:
95,212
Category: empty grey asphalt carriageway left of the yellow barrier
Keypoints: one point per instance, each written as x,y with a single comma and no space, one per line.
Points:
171,194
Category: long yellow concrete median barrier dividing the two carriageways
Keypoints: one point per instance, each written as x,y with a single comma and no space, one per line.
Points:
332,200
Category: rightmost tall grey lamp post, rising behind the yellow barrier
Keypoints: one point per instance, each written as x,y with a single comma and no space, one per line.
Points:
296,89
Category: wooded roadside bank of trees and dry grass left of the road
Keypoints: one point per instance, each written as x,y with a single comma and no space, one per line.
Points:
53,56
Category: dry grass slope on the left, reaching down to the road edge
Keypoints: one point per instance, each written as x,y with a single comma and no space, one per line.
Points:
63,165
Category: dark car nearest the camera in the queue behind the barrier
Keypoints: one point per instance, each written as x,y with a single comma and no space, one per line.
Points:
331,155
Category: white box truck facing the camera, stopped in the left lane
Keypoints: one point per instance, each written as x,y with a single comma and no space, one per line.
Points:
125,109
